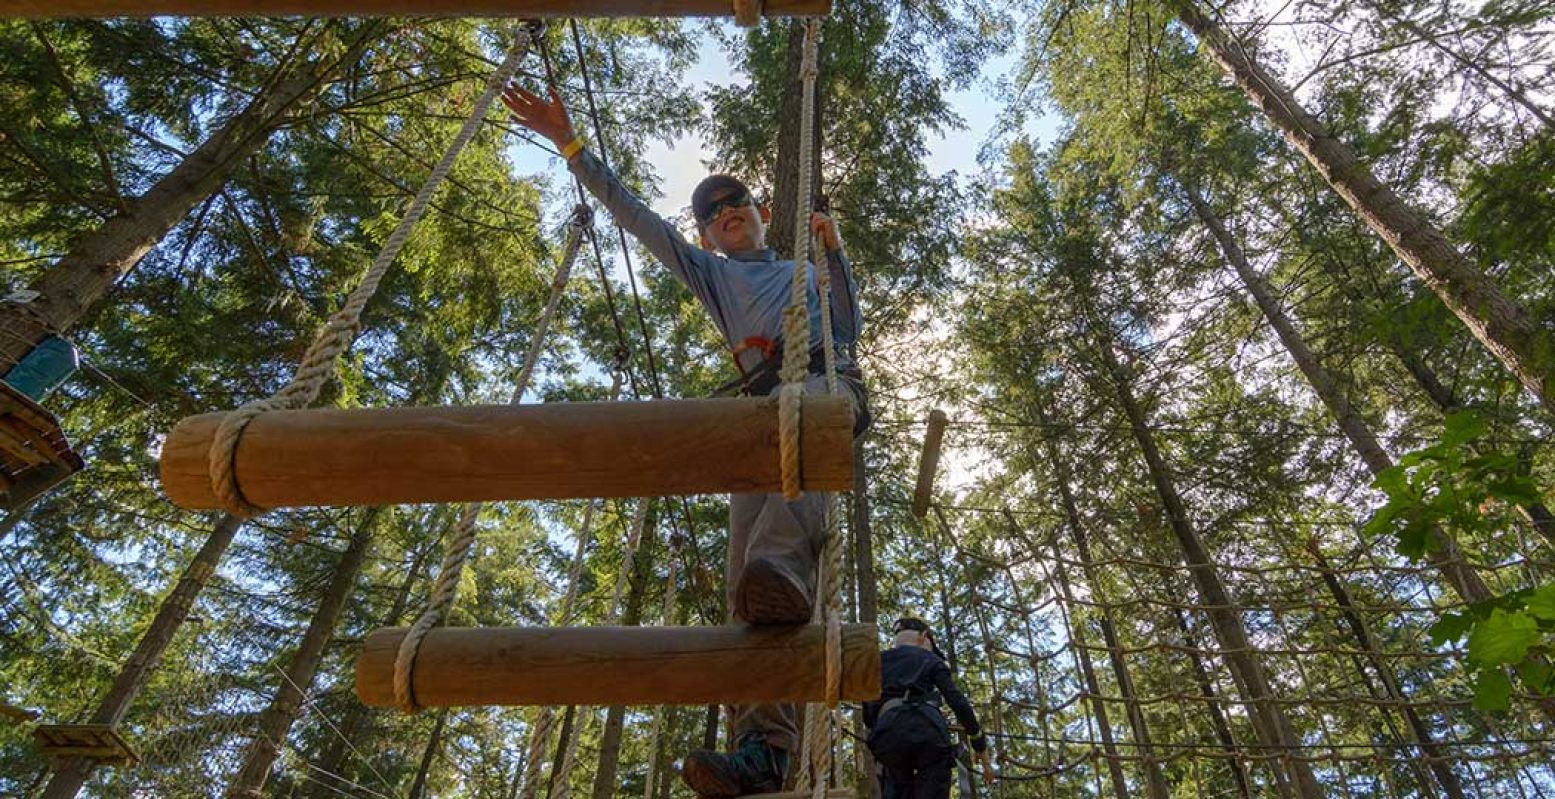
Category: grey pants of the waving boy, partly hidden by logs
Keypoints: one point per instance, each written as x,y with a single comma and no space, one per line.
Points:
766,526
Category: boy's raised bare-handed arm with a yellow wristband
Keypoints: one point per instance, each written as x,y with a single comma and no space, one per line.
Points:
550,119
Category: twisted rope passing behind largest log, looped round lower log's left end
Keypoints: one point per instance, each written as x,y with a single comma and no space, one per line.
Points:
461,540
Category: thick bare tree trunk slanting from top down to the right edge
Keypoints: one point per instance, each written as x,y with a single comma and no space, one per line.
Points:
1500,324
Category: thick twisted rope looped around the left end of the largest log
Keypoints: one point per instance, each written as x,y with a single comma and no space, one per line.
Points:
320,363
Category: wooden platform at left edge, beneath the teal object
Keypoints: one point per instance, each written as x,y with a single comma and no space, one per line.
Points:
35,453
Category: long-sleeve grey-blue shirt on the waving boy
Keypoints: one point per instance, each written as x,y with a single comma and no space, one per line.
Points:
744,291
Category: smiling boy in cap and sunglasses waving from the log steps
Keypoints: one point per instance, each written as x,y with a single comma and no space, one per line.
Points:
743,284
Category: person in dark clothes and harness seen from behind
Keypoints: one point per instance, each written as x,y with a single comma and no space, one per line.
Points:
907,730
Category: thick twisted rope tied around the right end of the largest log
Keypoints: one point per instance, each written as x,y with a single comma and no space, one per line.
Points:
797,318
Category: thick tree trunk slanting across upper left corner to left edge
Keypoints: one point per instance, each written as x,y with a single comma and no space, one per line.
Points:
80,279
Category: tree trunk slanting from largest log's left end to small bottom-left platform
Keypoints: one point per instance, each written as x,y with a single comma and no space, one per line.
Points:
72,775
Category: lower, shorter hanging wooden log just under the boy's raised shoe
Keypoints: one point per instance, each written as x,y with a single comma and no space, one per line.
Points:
732,665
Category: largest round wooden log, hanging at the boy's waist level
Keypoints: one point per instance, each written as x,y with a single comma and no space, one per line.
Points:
487,453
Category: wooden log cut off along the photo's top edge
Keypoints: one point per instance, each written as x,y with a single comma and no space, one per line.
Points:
402,9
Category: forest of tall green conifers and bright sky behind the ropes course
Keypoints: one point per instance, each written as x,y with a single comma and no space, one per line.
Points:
1243,497
